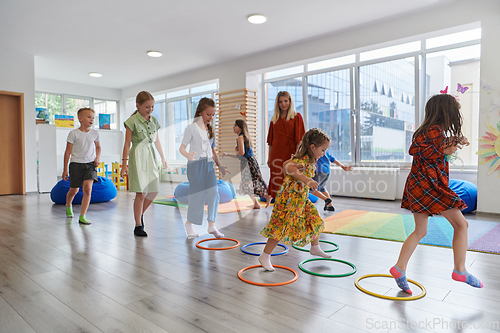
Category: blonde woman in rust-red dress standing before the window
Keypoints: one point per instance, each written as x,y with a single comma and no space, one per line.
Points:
285,134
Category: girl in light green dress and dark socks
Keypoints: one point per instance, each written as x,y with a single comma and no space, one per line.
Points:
142,169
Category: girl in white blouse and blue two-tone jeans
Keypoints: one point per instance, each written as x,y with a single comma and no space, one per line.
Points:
200,168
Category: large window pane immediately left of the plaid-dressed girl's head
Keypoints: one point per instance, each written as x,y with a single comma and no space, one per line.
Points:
386,110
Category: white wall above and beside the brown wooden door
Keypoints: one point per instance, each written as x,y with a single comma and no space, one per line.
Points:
17,75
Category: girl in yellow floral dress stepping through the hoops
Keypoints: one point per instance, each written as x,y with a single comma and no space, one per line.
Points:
294,219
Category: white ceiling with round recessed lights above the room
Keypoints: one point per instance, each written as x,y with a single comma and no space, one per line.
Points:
71,38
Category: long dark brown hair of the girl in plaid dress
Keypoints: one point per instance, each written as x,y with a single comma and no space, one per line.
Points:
443,110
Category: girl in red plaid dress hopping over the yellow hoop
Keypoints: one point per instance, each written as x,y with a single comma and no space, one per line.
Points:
427,192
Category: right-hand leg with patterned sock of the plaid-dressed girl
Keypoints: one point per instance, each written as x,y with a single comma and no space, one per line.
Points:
460,225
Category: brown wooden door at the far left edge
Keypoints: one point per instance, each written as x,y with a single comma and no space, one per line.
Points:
12,143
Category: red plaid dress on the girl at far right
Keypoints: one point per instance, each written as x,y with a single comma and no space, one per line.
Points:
427,188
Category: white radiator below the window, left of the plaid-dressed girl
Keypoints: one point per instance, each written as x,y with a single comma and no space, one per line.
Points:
364,182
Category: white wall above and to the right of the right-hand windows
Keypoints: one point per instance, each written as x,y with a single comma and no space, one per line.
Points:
232,75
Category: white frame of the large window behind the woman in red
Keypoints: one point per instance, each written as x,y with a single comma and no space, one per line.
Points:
419,58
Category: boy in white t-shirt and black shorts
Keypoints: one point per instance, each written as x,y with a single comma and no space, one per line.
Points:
85,151
